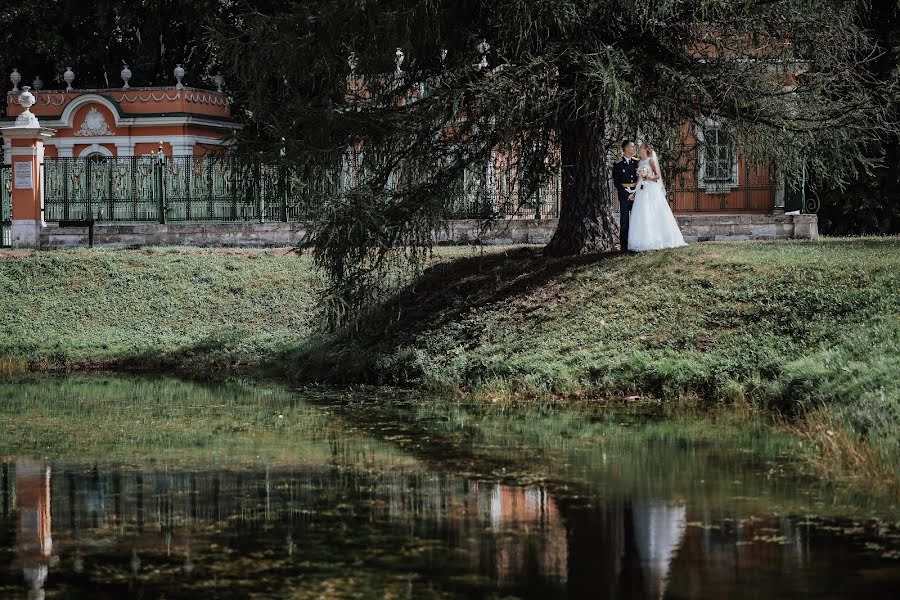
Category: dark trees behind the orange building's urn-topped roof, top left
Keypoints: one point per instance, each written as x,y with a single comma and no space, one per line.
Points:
97,38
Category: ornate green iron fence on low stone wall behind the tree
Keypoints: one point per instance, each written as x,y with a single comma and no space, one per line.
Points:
242,188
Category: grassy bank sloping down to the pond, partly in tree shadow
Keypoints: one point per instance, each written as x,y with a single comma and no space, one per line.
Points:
811,330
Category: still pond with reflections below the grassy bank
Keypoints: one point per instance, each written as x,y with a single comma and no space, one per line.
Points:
114,487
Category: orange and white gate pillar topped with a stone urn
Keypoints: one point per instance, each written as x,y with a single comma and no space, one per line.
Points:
26,154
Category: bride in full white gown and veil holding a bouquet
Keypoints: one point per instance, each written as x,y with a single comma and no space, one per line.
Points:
652,224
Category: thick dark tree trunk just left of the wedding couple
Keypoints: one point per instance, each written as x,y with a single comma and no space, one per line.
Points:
586,222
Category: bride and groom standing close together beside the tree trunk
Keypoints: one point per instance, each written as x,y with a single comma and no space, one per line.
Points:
646,221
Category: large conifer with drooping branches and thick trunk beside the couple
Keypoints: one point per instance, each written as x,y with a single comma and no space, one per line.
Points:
789,80
